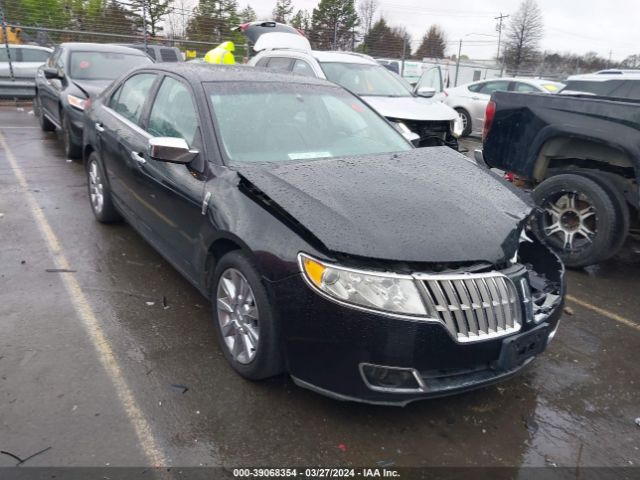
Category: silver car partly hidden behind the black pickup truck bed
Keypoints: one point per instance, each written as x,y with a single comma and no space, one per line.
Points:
470,101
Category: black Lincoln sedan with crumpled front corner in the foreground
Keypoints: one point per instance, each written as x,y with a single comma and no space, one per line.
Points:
330,248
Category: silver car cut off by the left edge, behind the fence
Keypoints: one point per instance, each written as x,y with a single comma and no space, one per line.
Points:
25,60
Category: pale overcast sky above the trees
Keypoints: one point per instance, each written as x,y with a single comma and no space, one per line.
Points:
570,25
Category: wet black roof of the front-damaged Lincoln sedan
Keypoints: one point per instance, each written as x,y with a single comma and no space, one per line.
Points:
198,72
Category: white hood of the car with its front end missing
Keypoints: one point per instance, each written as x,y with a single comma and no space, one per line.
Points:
411,108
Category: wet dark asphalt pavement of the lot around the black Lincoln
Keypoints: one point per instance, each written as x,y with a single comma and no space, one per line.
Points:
93,362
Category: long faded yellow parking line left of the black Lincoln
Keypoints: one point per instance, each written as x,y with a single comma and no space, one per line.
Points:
91,323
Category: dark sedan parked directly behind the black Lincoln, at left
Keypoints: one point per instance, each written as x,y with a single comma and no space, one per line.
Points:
73,74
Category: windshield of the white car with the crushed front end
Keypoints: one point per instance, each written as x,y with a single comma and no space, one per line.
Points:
367,80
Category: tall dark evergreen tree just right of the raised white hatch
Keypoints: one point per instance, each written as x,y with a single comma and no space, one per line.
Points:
333,25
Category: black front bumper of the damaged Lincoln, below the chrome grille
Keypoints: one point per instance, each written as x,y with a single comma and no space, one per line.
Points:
327,344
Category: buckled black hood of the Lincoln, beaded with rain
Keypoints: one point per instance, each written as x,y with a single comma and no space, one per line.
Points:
425,205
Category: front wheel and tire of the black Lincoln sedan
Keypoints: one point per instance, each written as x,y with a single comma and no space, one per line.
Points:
244,318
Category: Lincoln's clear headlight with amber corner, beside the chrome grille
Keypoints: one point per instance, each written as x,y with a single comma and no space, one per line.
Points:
386,292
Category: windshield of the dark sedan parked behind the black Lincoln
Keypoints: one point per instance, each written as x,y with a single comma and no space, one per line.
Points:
103,65
